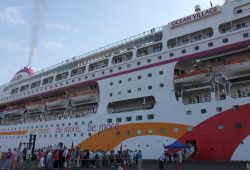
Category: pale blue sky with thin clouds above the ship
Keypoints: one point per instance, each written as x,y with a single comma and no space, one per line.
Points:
68,28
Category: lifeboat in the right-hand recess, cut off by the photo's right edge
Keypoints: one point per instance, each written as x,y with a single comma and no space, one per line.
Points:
235,68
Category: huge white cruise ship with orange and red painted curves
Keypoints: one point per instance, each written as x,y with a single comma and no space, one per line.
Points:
187,81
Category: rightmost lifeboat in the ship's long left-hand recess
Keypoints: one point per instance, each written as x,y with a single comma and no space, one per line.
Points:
83,97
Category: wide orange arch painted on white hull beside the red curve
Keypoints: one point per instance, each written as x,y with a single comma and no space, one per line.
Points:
109,139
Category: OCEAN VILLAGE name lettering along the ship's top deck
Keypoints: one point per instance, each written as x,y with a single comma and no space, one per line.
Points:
194,17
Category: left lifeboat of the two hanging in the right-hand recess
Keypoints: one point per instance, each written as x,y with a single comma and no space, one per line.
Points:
193,77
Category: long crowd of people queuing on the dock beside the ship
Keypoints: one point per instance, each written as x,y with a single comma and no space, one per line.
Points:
50,157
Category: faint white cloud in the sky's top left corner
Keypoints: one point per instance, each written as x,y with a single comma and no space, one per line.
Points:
12,15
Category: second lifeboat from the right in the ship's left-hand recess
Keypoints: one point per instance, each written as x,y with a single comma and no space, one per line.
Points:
57,103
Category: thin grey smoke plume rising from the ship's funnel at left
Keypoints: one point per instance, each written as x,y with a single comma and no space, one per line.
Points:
37,24
